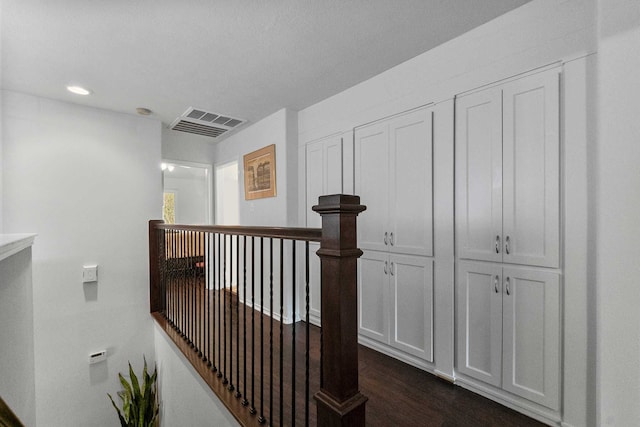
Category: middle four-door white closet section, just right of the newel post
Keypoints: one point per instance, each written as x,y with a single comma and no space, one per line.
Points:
393,169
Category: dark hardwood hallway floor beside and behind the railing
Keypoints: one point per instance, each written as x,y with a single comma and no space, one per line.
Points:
399,394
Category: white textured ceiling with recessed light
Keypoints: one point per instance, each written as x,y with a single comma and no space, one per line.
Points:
244,58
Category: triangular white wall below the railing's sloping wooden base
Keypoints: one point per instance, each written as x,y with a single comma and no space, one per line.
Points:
186,399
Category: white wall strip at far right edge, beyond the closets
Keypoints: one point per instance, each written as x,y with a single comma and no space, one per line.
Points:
617,181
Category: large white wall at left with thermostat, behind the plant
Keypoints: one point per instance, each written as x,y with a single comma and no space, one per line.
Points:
86,181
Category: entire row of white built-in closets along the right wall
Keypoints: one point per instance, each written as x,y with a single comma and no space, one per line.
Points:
494,263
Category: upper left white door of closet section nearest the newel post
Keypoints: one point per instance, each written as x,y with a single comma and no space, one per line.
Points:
372,184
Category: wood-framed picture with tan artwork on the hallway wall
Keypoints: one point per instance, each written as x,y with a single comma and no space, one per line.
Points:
260,173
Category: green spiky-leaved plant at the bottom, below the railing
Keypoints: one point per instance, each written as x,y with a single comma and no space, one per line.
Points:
140,407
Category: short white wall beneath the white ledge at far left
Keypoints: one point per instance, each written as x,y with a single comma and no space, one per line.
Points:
17,386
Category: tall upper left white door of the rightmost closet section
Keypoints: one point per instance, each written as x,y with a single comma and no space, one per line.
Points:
479,175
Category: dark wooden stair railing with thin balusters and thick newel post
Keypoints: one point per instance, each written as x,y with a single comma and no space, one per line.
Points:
204,294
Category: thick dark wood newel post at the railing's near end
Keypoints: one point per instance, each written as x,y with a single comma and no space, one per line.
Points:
339,400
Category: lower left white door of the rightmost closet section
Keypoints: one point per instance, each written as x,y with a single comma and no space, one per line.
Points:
479,321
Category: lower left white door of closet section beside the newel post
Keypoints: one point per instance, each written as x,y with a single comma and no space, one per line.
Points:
373,310
